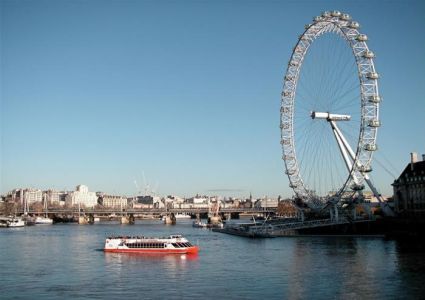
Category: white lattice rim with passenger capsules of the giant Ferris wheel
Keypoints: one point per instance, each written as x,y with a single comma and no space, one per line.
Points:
346,28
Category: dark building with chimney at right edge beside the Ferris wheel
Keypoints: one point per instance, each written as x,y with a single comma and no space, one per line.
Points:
409,188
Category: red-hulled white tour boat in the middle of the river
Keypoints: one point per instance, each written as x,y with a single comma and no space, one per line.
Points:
140,244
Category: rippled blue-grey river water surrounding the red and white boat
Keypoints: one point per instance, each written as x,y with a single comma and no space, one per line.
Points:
66,261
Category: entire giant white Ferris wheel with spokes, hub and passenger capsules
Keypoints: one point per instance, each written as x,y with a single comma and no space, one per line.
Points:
330,112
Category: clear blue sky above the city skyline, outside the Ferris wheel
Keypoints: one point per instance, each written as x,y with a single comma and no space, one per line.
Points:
188,92
